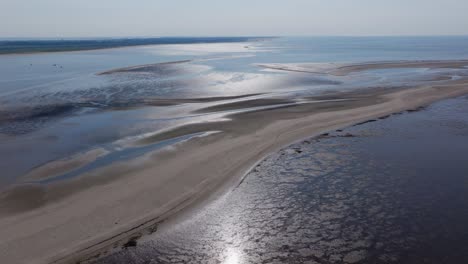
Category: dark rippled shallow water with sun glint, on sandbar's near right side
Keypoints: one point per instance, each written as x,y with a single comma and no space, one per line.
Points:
393,190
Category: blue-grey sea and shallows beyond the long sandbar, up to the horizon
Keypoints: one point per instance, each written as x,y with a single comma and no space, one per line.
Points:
54,105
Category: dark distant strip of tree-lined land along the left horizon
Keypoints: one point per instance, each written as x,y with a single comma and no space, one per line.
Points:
30,46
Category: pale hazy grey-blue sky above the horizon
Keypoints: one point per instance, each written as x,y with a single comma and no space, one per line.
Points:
92,18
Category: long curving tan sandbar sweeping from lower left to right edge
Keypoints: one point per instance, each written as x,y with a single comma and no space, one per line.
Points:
83,218
